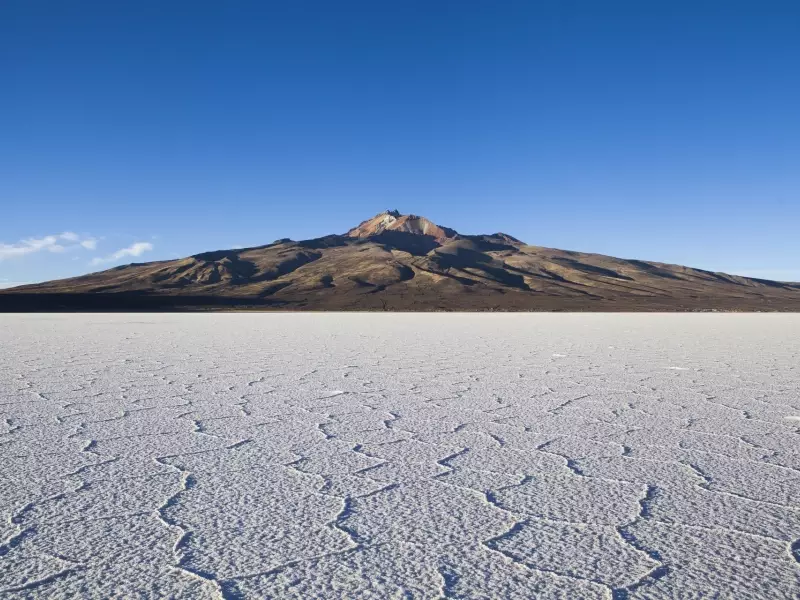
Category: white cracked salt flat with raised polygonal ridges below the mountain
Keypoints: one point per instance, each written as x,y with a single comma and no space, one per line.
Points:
400,456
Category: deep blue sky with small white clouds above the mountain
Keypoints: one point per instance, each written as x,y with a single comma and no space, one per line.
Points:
662,130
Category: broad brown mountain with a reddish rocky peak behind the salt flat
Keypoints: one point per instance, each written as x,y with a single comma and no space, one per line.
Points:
405,262
